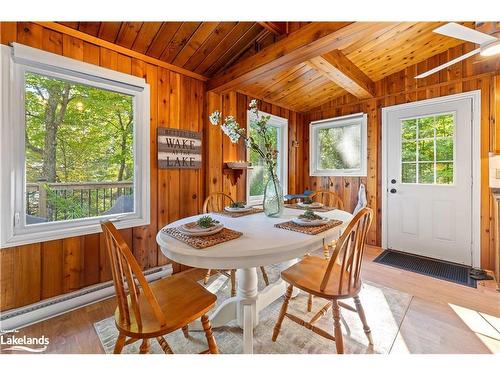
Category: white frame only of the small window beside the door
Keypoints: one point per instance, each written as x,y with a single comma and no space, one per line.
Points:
349,120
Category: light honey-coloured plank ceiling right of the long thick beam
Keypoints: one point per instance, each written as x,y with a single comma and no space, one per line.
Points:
306,86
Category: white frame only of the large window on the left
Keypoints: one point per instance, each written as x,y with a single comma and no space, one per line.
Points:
14,62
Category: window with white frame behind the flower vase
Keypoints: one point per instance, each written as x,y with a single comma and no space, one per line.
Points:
257,175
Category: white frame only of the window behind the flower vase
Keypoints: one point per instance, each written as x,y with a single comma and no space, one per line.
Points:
282,125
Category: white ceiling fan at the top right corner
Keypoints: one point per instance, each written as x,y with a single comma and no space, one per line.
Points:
488,45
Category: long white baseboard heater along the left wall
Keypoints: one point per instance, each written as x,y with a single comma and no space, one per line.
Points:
49,308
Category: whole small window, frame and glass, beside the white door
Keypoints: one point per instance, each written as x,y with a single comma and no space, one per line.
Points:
338,146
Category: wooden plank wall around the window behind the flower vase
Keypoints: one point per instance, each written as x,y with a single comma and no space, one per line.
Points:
221,150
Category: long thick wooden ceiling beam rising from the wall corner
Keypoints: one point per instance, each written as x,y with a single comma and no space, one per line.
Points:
304,44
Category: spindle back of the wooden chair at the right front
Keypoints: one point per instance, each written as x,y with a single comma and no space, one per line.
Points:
349,252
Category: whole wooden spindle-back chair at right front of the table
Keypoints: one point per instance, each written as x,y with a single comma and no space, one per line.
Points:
335,279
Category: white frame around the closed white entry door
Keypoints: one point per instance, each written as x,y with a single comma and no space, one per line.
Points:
476,164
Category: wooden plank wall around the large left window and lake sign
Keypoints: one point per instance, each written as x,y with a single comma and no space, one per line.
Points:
34,272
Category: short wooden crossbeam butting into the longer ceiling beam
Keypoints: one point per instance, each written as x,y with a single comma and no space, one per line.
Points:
339,69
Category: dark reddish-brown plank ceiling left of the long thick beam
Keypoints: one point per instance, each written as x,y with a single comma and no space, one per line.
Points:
201,47
